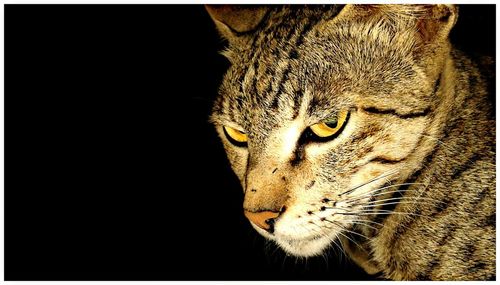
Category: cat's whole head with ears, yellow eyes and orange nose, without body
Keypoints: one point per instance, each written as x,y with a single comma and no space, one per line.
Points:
325,109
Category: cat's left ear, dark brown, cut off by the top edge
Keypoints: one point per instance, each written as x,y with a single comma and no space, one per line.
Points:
236,21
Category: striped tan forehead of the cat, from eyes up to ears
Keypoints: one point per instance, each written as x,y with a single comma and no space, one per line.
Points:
320,66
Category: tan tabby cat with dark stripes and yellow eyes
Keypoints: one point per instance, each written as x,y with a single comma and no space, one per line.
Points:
361,126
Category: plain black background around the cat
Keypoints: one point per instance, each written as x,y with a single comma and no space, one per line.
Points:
112,171
